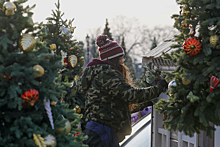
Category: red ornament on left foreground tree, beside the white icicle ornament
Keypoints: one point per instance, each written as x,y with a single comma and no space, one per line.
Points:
31,96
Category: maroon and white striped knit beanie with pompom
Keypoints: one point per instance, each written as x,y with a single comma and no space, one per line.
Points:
108,49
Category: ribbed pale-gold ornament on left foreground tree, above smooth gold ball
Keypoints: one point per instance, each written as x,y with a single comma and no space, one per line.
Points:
27,42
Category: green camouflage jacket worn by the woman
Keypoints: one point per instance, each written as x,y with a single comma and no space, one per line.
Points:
108,96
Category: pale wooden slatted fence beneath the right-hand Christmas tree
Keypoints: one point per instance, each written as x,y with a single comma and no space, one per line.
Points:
164,138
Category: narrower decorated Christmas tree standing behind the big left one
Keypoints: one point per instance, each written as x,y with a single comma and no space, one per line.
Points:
59,36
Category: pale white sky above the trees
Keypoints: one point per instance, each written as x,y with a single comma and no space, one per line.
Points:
93,13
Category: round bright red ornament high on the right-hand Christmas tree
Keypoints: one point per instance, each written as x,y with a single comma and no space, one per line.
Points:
192,46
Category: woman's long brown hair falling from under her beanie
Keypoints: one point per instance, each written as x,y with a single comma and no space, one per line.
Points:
126,75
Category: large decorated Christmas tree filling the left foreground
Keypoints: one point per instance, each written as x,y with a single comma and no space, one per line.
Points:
31,114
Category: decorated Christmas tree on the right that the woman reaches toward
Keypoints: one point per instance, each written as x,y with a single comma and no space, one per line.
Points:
194,102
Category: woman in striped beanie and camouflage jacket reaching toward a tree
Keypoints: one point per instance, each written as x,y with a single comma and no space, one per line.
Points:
109,96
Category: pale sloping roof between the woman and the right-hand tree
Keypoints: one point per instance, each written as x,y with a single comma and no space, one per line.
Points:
163,47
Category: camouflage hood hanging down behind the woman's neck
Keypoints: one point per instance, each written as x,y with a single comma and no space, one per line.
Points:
94,68
